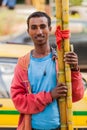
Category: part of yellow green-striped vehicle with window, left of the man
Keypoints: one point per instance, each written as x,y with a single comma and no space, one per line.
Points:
8,59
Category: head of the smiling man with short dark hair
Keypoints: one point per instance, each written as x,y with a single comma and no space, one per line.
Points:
39,27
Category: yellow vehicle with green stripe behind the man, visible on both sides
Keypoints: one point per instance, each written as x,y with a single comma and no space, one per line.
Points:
9,54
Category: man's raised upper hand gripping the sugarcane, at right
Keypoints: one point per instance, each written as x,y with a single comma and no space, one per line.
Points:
71,58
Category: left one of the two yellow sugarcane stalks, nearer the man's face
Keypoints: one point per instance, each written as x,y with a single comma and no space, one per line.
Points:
61,68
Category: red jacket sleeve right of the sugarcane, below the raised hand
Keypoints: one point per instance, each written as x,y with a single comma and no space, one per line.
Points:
77,86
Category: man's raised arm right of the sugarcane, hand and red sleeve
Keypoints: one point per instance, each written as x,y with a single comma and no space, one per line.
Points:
71,58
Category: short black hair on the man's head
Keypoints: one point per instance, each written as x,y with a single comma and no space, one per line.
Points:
39,14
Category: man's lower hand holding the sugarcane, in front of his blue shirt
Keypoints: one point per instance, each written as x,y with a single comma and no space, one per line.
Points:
59,91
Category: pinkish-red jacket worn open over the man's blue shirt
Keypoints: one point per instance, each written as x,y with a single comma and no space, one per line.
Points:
28,103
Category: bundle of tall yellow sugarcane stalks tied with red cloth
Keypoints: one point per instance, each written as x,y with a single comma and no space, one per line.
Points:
64,75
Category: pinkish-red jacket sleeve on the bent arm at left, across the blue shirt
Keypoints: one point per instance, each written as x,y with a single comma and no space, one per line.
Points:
24,102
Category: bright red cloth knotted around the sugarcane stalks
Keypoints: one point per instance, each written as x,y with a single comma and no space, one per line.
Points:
61,34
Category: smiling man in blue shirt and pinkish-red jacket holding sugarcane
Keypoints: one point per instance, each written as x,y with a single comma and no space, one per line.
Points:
36,73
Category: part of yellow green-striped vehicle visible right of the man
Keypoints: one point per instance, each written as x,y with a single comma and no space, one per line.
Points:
80,109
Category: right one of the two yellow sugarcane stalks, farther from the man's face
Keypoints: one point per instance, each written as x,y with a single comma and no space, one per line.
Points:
65,17
